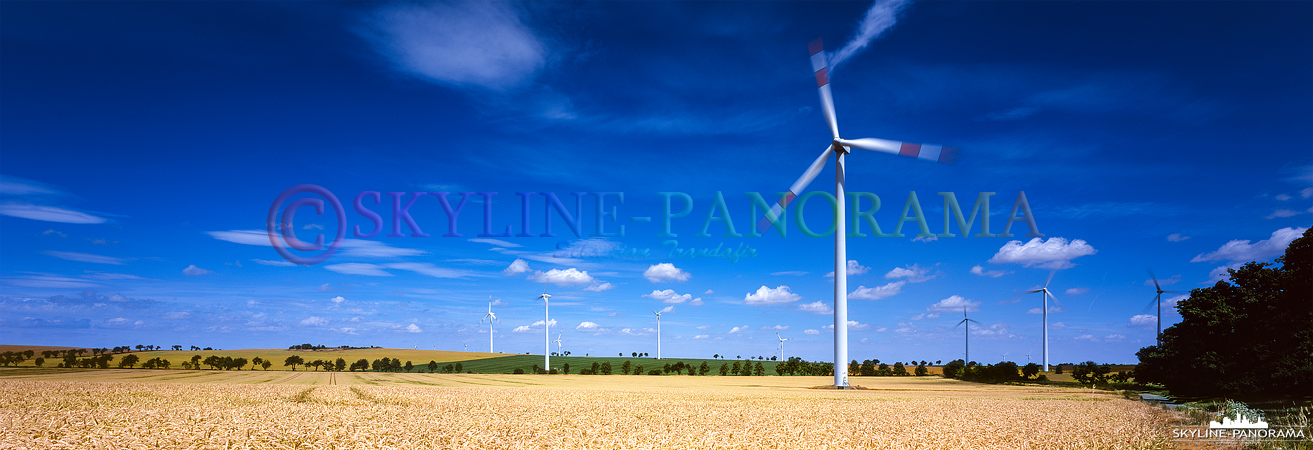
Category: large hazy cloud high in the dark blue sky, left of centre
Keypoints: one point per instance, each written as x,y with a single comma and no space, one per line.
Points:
464,44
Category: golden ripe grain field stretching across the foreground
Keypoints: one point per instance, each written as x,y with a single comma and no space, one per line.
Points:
253,410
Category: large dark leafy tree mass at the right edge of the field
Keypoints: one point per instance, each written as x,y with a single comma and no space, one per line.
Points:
1249,338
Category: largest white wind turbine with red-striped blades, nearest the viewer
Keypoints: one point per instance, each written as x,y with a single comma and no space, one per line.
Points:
841,148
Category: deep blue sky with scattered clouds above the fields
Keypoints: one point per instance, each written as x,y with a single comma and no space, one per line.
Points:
144,144
